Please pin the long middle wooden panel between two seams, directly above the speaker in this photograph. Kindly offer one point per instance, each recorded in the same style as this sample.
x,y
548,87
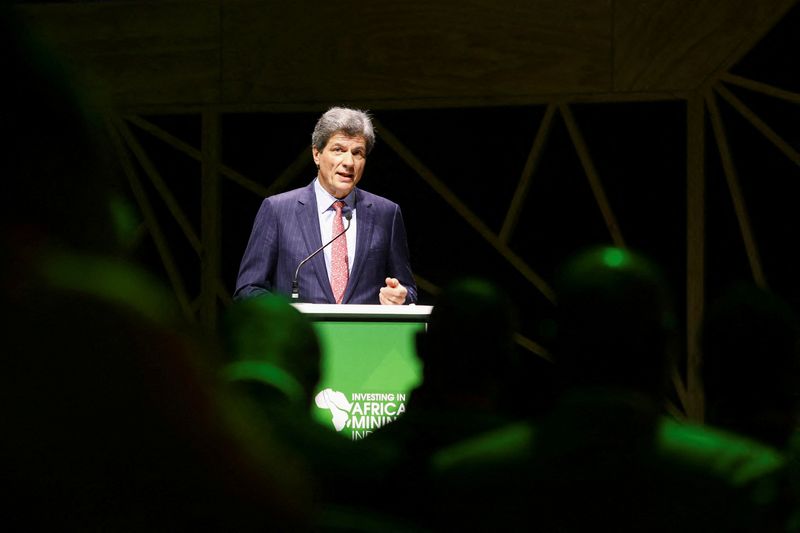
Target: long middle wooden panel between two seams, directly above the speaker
x,y
411,51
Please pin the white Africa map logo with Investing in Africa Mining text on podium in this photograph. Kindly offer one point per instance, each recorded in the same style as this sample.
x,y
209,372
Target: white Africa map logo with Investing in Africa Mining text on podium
x,y
361,413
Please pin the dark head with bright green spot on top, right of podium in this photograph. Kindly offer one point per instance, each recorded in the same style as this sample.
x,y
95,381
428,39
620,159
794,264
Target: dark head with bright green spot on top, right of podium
x,y
614,321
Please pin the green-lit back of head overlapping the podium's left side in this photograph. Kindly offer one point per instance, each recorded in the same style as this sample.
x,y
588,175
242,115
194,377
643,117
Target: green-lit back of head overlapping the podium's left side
x,y
272,343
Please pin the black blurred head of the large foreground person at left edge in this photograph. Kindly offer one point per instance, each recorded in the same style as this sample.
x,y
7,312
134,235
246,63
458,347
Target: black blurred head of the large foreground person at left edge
x,y
59,174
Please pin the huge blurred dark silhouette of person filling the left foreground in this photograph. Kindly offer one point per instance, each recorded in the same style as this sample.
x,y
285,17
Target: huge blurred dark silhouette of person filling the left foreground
x,y
111,420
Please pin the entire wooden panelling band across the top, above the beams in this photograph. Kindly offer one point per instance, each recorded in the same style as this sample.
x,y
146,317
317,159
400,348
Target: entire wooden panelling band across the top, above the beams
x,y
241,54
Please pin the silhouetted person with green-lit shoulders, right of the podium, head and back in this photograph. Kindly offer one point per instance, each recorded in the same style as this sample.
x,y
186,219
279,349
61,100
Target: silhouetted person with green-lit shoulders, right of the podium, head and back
x,y
605,457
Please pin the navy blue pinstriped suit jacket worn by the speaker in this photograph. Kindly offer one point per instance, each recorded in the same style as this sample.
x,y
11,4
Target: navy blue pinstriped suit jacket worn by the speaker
x,y
286,231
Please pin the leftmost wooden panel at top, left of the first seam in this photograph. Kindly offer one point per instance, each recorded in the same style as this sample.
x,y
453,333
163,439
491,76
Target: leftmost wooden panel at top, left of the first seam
x,y
139,53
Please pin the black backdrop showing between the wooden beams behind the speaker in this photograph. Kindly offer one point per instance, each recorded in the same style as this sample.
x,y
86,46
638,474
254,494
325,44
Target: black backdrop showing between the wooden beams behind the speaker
x,y
638,149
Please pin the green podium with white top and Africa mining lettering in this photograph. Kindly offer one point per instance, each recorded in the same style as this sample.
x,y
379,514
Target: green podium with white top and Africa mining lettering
x,y
369,363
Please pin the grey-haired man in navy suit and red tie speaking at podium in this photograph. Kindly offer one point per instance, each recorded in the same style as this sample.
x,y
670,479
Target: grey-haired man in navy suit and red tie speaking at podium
x,y
331,242
